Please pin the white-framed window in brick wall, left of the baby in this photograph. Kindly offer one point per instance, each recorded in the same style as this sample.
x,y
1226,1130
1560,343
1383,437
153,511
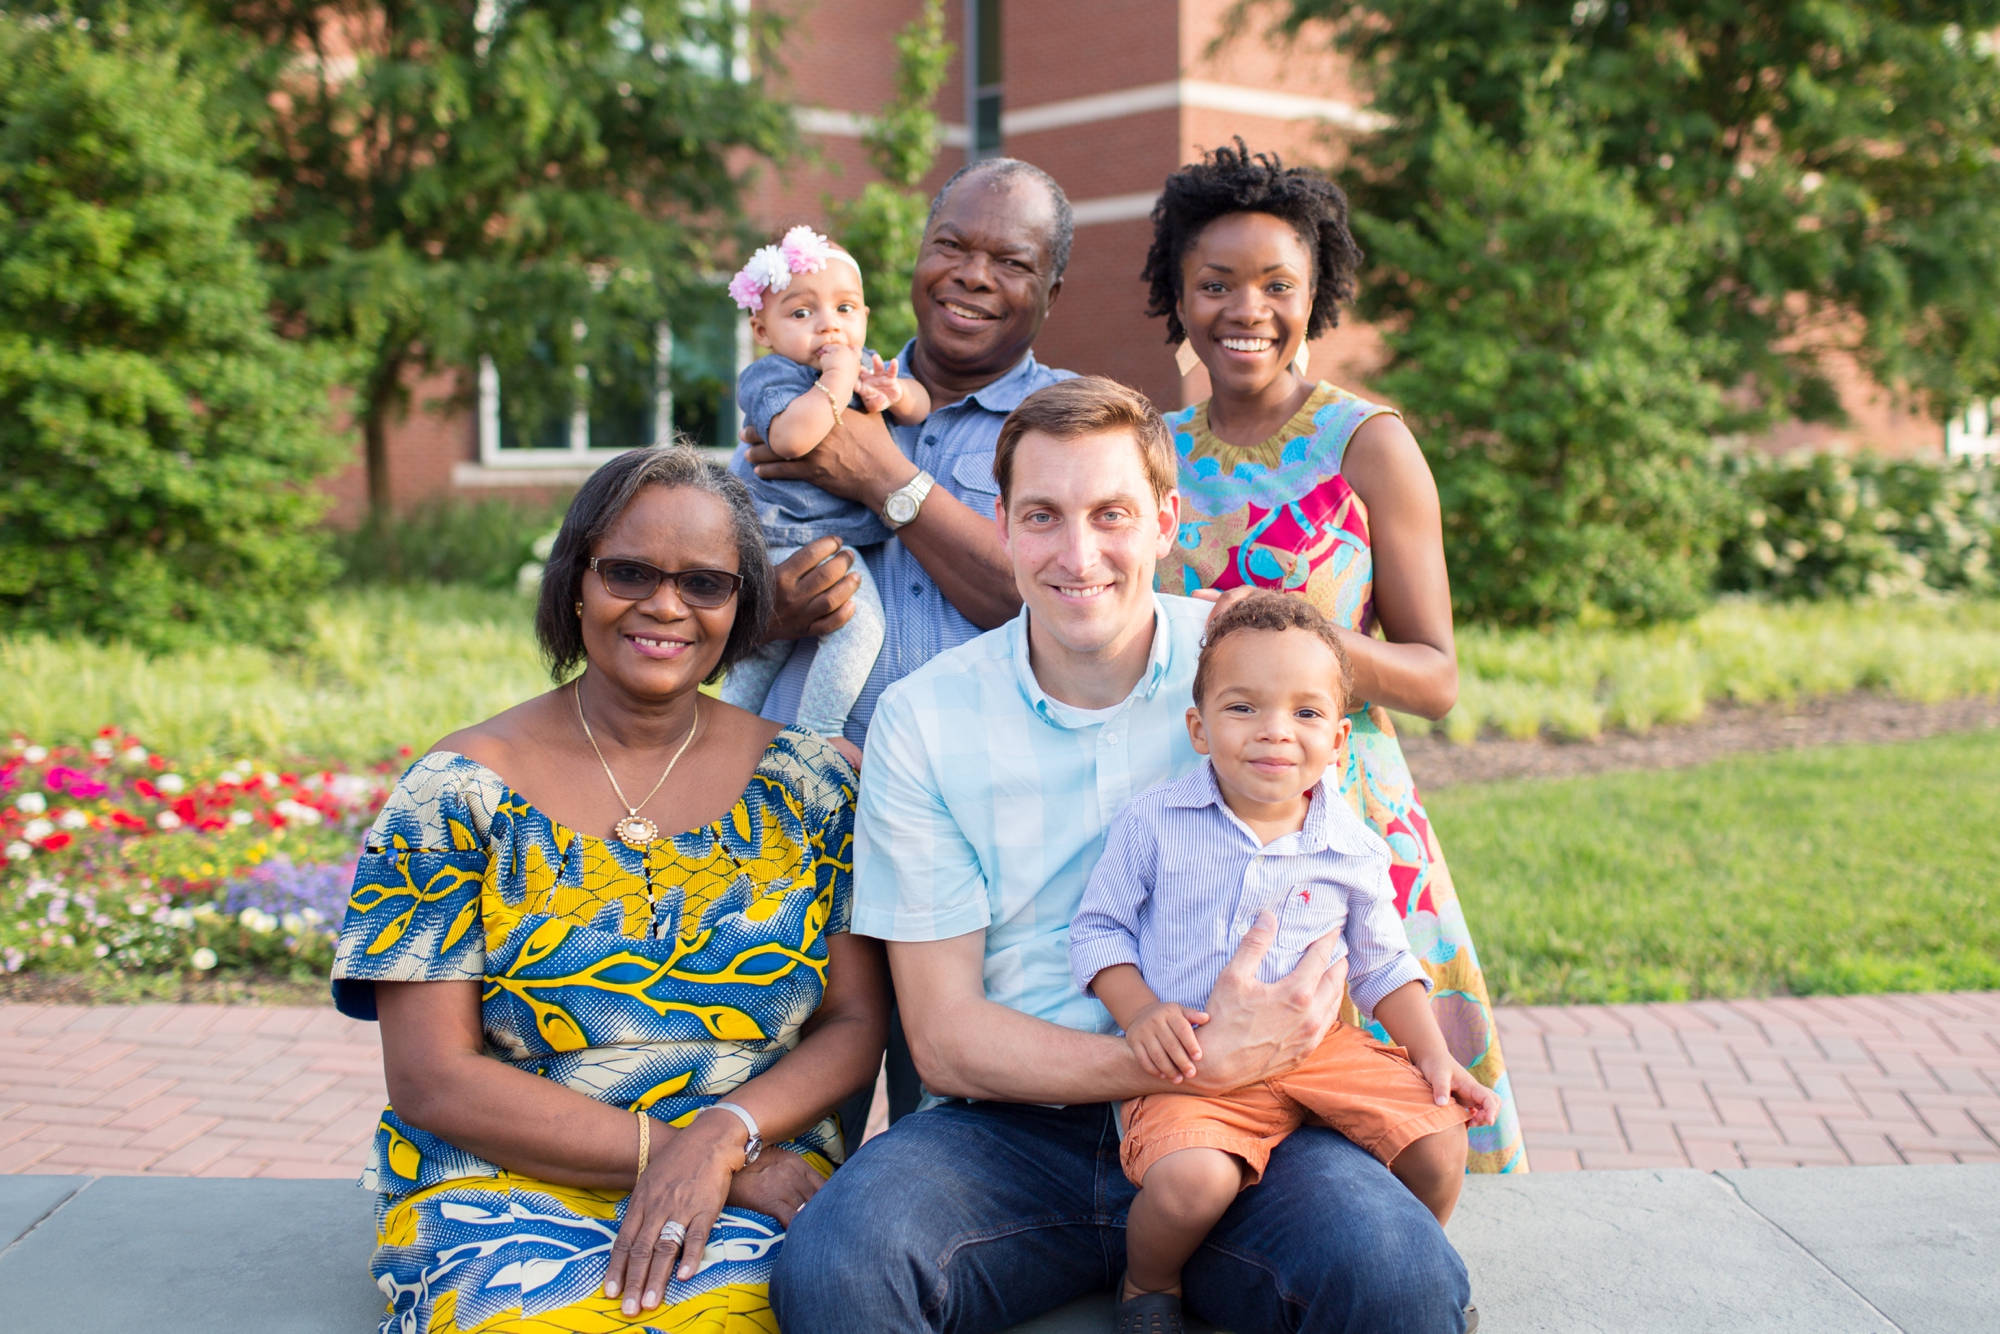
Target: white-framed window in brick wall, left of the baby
x,y
629,391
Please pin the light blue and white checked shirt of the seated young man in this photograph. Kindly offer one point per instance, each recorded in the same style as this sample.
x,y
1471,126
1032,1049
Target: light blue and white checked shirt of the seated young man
x,y
985,803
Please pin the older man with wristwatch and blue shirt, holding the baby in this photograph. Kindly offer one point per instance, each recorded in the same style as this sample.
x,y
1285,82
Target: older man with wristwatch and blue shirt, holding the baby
x,y
991,267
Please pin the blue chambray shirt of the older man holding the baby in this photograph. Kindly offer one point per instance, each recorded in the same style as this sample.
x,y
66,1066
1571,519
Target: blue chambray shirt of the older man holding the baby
x,y
957,447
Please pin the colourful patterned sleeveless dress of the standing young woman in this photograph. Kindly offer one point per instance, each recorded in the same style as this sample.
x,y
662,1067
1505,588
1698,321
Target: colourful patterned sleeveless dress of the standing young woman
x,y
1281,517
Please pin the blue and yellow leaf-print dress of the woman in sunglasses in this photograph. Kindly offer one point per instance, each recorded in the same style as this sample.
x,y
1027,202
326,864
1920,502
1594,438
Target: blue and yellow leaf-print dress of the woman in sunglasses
x,y
647,979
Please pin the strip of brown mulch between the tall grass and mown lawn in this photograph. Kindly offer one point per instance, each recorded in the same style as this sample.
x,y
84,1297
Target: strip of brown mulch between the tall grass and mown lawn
x,y
1729,729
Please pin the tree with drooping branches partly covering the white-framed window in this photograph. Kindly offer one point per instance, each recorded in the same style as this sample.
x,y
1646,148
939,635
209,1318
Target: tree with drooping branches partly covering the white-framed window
x,y
537,181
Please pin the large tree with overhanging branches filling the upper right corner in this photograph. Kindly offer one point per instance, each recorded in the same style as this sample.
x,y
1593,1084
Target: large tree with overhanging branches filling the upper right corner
x,y
1835,163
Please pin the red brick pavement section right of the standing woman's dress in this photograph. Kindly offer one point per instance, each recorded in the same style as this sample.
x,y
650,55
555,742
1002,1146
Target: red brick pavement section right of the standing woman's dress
x,y
1823,1081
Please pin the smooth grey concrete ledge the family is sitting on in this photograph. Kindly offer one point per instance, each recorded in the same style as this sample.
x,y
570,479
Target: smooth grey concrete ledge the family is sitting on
x,y
1809,1251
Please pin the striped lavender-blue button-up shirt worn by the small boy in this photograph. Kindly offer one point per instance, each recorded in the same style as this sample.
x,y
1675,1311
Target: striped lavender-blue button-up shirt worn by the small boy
x,y
1183,879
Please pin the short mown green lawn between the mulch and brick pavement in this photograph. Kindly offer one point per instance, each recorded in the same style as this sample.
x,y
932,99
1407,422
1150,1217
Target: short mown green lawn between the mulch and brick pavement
x,y
1857,869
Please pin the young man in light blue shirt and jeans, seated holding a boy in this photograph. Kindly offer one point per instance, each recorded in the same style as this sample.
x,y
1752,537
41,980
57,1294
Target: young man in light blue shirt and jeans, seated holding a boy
x,y
993,775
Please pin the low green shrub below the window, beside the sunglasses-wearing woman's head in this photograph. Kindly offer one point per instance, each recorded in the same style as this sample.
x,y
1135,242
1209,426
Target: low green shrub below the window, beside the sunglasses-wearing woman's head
x,y
481,543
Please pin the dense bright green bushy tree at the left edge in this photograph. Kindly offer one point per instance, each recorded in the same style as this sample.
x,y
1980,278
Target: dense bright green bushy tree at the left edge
x,y
159,437
